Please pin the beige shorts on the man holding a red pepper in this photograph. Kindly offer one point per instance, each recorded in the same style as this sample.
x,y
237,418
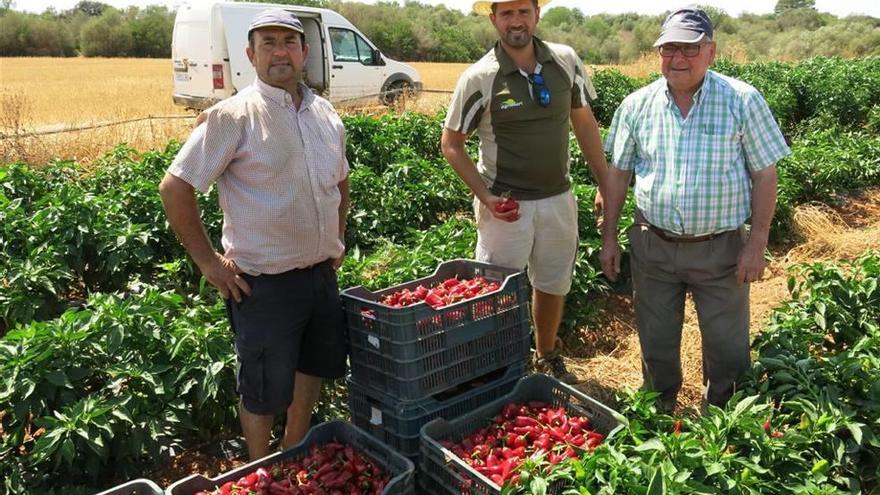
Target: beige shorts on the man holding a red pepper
x,y
545,239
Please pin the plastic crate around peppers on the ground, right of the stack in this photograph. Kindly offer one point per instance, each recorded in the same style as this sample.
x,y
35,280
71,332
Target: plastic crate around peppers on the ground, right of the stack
x,y
444,473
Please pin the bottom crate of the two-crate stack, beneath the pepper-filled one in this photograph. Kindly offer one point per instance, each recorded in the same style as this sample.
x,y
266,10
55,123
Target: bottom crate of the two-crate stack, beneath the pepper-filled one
x,y
398,423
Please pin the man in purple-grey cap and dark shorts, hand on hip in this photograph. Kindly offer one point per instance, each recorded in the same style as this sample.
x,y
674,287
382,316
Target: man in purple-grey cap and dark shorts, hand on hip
x,y
277,153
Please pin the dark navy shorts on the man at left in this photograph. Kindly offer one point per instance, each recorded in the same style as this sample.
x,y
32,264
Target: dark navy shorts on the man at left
x,y
292,321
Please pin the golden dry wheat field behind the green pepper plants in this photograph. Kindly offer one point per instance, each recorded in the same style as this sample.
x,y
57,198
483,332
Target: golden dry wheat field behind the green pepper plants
x,y
41,94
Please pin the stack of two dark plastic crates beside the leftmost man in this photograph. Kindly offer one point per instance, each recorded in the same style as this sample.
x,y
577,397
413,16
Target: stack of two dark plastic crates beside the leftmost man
x,y
413,364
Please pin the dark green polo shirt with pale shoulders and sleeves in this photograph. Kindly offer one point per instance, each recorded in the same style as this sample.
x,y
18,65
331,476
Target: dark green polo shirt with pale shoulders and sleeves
x,y
523,146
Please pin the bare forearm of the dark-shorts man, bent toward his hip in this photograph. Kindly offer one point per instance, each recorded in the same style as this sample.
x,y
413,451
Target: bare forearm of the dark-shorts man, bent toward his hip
x,y
182,211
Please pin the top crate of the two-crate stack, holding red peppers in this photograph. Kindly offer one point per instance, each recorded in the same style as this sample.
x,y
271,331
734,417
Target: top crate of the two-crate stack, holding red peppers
x,y
415,351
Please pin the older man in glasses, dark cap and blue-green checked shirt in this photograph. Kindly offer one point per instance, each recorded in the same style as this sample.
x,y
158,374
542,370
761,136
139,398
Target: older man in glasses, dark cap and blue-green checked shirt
x,y
703,148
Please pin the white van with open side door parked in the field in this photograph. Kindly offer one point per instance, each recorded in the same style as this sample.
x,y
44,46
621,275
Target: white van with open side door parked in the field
x,y
210,64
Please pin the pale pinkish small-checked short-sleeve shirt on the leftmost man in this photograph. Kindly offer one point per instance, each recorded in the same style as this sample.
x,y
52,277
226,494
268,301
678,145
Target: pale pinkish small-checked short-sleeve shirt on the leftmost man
x,y
277,170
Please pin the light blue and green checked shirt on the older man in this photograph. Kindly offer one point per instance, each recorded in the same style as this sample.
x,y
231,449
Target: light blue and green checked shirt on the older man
x,y
693,174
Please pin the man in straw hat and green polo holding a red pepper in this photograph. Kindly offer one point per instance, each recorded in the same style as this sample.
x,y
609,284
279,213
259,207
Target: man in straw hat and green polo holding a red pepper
x,y
520,99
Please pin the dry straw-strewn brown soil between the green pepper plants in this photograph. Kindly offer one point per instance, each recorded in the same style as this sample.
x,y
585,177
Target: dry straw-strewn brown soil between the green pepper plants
x,y
607,357
